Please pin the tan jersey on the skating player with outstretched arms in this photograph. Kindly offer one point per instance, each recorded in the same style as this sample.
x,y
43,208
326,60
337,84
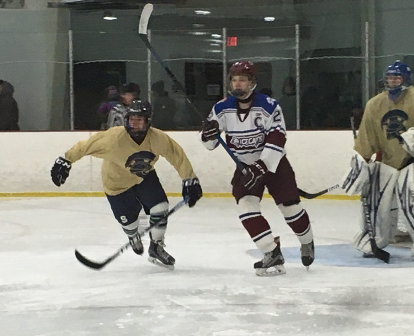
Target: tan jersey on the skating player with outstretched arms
x,y
117,149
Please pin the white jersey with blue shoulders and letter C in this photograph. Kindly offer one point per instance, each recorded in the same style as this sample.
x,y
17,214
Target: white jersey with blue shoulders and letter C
x,y
262,135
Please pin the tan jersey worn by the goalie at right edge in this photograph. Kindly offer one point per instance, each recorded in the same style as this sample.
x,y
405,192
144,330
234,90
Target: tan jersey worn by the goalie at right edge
x,y
381,125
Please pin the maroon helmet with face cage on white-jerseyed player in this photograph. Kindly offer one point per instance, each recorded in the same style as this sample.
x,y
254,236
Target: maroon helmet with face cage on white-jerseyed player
x,y
242,68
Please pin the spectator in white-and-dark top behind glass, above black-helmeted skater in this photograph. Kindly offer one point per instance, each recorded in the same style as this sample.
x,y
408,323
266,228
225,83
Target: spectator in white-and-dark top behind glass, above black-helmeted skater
x,y
127,94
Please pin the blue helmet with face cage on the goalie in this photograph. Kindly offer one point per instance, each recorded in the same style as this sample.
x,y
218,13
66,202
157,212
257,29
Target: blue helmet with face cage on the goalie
x,y
395,88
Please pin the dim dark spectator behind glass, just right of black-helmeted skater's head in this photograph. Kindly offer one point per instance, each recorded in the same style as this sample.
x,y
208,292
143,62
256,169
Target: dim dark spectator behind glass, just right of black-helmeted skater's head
x,y
164,107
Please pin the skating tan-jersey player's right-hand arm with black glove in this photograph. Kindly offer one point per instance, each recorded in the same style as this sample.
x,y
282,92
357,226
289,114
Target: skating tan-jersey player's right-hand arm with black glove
x,y
176,156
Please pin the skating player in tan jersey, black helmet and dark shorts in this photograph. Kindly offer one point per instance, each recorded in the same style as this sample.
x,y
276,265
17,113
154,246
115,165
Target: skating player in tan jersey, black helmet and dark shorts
x,y
130,182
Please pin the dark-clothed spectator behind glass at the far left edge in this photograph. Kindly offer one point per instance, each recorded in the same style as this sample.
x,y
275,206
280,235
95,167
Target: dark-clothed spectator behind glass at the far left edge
x,y
9,111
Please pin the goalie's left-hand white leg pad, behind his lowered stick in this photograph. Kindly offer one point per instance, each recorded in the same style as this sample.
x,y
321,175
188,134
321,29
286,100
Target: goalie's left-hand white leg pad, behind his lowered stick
x,y
382,207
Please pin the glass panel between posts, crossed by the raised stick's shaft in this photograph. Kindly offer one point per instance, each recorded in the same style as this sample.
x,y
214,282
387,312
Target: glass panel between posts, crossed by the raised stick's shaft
x,y
195,58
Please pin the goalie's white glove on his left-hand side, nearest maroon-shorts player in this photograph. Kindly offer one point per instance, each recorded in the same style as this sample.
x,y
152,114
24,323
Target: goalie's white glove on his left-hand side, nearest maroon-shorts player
x,y
358,175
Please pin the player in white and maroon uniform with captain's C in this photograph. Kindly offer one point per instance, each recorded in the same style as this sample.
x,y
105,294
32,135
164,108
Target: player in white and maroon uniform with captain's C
x,y
256,134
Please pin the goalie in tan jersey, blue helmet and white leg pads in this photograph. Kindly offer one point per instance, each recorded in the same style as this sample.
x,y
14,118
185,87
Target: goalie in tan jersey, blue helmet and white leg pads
x,y
386,187
